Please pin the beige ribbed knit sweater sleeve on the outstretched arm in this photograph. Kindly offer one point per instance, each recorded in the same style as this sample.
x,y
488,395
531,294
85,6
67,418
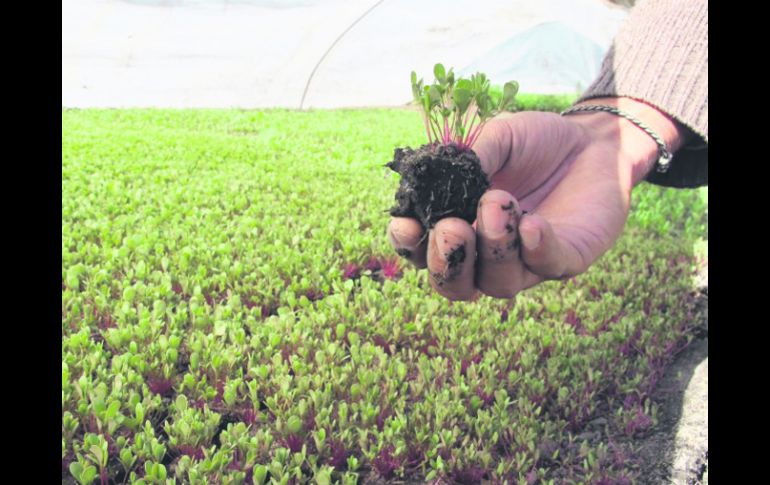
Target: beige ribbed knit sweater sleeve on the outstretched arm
x,y
660,56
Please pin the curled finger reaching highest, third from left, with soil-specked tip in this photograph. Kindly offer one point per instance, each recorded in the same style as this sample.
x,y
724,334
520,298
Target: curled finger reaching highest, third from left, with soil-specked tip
x,y
500,272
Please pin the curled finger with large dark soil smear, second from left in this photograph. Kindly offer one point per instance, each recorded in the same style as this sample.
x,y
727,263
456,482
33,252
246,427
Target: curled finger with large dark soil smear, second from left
x,y
450,257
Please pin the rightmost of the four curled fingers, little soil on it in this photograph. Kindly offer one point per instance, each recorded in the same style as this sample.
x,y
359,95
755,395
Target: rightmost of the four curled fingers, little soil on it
x,y
543,252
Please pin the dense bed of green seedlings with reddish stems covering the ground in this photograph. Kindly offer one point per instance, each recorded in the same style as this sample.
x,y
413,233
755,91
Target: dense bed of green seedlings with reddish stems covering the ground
x,y
231,312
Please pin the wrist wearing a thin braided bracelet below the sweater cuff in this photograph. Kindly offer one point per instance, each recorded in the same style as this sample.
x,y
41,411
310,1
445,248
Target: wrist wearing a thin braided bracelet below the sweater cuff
x,y
637,151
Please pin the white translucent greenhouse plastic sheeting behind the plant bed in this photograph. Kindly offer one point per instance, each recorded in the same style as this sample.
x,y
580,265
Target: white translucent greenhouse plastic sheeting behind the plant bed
x,y
320,53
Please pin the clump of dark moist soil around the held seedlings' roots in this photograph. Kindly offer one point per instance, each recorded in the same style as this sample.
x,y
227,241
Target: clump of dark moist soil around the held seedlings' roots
x,y
437,182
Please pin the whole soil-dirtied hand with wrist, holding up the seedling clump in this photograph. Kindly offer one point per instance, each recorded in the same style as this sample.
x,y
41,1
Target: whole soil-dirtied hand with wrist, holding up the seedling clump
x,y
572,175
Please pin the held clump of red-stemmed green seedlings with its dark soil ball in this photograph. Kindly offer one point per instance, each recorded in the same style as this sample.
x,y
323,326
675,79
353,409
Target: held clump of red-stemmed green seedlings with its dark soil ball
x,y
443,178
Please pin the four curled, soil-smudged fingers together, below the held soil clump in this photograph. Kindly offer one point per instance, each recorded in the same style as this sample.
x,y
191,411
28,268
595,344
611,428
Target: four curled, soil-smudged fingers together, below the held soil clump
x,y
515,252
